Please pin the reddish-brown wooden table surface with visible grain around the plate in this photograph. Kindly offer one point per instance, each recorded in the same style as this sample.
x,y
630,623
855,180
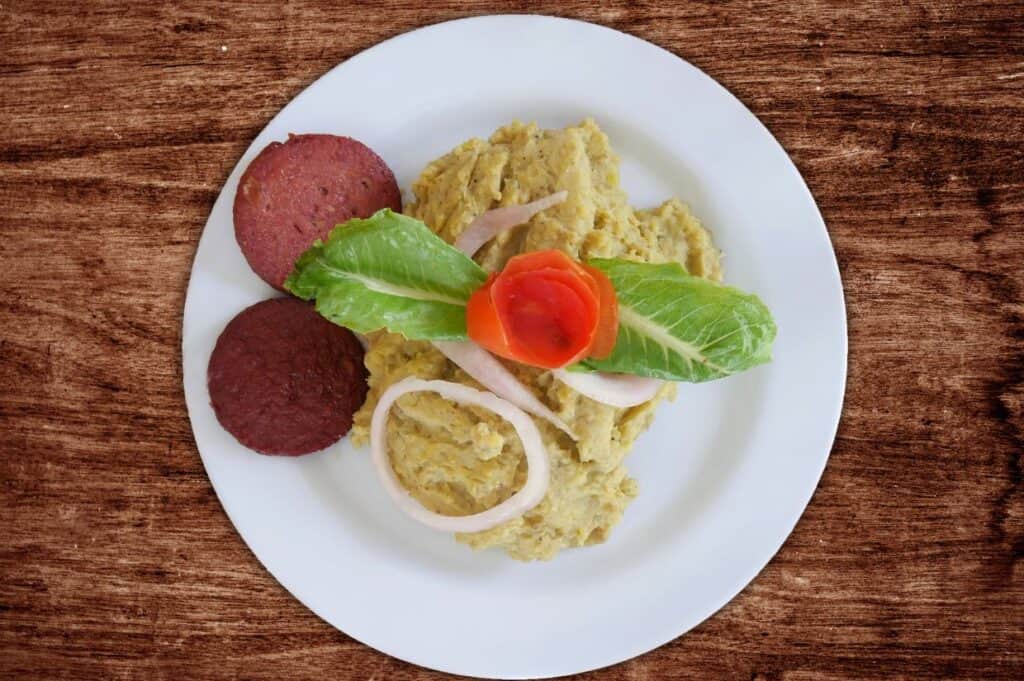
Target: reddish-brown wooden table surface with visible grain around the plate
x,y
119,123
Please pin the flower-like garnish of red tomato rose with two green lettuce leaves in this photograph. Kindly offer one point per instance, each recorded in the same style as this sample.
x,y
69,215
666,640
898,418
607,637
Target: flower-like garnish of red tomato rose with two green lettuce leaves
x,y
391,272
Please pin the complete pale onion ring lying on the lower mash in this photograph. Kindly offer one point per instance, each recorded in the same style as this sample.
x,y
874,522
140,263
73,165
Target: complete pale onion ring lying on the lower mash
x,y
538,475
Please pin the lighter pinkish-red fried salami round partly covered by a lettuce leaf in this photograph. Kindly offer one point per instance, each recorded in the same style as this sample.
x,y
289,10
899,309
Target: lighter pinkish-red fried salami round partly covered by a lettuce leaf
x,y
295,193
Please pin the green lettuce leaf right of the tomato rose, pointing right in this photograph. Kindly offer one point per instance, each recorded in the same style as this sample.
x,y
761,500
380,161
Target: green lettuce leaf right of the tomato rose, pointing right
x,y
682,328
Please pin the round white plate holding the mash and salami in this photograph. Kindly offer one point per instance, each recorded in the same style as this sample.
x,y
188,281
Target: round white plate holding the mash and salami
x,y
726,472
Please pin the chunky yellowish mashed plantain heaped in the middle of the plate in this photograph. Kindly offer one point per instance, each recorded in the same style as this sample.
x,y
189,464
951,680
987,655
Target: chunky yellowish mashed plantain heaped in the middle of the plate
x,y
459,460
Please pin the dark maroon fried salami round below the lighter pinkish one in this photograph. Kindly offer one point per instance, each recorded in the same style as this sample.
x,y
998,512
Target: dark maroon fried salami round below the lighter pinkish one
x,y
284,380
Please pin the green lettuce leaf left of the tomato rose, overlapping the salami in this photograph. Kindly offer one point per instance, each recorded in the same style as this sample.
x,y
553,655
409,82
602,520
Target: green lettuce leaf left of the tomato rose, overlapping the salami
x,y
389,272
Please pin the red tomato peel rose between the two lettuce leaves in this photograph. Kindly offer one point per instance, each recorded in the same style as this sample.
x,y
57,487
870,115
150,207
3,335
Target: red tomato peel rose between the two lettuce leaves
x,y
546,311
